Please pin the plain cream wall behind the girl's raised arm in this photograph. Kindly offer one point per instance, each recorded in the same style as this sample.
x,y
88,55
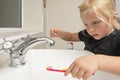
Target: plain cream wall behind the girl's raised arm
x,y
64,14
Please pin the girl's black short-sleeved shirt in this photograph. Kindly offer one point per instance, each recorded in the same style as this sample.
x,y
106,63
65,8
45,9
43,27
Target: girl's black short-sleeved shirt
x,y
109,45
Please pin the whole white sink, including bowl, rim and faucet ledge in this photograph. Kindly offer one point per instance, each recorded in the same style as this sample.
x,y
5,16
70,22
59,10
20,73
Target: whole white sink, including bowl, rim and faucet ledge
x,y
38,59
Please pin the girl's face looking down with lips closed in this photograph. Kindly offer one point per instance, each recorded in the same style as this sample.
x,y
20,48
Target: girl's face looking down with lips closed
x,y
94,26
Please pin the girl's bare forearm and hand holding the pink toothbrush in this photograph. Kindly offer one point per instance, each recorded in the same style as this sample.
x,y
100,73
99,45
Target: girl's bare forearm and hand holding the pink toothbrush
x,y
87,66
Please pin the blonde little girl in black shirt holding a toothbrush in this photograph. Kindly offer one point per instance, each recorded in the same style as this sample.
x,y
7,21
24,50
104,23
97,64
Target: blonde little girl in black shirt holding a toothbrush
x,y
101,37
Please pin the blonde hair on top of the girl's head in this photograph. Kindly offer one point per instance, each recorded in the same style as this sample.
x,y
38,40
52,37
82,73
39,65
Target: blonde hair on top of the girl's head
x,y
105,8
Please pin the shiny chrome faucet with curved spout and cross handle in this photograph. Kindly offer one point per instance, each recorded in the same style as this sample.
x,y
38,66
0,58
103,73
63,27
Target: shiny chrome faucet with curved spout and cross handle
x,y
17,53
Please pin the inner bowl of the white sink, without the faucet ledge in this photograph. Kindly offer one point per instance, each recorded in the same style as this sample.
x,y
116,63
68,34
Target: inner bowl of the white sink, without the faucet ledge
x,y
40,59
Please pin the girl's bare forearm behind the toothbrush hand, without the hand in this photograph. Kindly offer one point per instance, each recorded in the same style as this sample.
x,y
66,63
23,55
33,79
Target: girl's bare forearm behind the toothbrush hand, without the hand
x,y
109,63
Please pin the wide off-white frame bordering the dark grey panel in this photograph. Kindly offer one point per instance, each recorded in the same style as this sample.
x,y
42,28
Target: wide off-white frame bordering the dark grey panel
x,y
32,17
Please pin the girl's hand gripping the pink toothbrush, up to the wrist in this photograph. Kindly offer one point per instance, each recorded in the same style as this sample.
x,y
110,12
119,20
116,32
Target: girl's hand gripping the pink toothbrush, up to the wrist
x,y
83,67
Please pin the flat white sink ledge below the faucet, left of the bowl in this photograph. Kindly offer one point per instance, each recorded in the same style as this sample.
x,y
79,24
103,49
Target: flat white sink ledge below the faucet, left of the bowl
x,y
22,73
